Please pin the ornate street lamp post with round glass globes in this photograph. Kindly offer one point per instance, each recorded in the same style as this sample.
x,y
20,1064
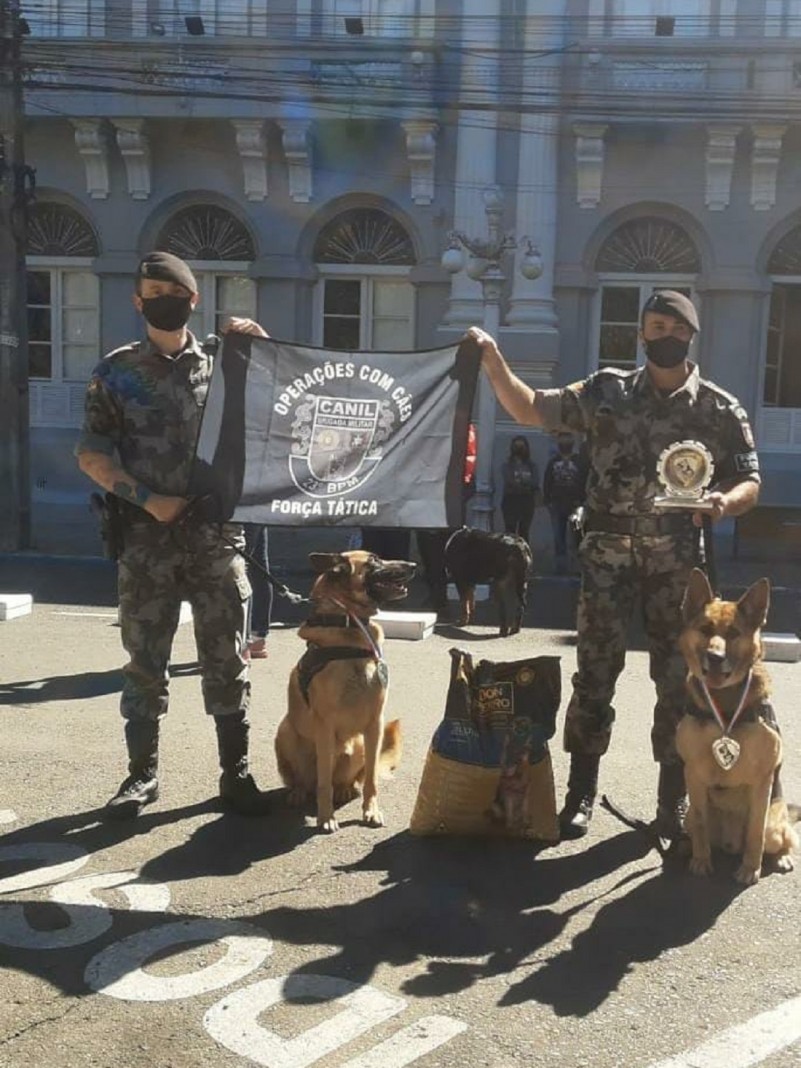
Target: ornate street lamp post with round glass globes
x,y
485,264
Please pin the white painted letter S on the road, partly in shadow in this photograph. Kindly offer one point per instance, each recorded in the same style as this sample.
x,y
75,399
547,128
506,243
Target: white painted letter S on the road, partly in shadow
x,y
88,918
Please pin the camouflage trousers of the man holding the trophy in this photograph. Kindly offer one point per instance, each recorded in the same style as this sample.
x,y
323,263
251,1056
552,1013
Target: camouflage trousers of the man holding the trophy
x,y
617,570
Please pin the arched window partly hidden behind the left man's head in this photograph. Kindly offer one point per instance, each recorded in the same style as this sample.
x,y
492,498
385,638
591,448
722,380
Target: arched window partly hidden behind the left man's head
x,y
221,250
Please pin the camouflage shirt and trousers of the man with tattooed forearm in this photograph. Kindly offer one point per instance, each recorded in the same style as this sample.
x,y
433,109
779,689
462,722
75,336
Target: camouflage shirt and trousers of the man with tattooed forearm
x,y
147,407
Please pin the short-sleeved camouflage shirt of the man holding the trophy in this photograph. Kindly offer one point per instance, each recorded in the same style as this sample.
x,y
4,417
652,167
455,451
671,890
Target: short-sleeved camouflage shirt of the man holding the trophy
x,y
629,423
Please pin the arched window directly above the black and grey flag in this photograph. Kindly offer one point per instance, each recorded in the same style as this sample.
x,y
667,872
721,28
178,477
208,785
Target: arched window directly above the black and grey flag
x,y
365,299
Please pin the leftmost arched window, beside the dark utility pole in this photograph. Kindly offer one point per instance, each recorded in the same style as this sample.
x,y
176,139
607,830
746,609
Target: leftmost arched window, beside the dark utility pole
x,y
64,312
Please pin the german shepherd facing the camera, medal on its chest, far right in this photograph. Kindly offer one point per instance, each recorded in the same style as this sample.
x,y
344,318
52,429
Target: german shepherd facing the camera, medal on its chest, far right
x,y
730,782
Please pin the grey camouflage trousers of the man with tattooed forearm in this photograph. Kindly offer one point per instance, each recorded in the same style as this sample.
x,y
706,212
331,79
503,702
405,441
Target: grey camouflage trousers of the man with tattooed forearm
x,y
162,566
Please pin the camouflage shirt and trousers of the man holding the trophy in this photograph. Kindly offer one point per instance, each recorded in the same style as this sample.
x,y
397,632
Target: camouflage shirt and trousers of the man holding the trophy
x,y
631,549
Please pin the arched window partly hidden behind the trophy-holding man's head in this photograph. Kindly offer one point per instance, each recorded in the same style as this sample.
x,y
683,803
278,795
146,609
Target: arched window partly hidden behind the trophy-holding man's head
x,y
640,257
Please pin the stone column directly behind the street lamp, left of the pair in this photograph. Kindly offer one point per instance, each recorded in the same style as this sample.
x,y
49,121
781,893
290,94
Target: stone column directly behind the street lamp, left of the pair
x,y
477,148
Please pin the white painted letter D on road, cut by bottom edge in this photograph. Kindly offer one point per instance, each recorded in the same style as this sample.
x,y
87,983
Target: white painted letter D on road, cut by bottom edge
x,y
234,1022
